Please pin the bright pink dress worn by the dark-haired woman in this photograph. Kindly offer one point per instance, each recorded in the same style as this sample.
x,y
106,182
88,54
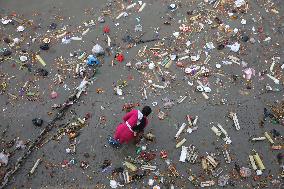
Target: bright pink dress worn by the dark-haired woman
x,y
123,133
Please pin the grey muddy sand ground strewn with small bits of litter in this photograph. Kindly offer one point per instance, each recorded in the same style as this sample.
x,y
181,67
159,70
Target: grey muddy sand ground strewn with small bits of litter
x,y
16,116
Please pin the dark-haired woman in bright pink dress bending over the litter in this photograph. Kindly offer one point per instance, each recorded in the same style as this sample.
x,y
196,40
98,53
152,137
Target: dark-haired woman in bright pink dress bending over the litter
x,y
133,125
